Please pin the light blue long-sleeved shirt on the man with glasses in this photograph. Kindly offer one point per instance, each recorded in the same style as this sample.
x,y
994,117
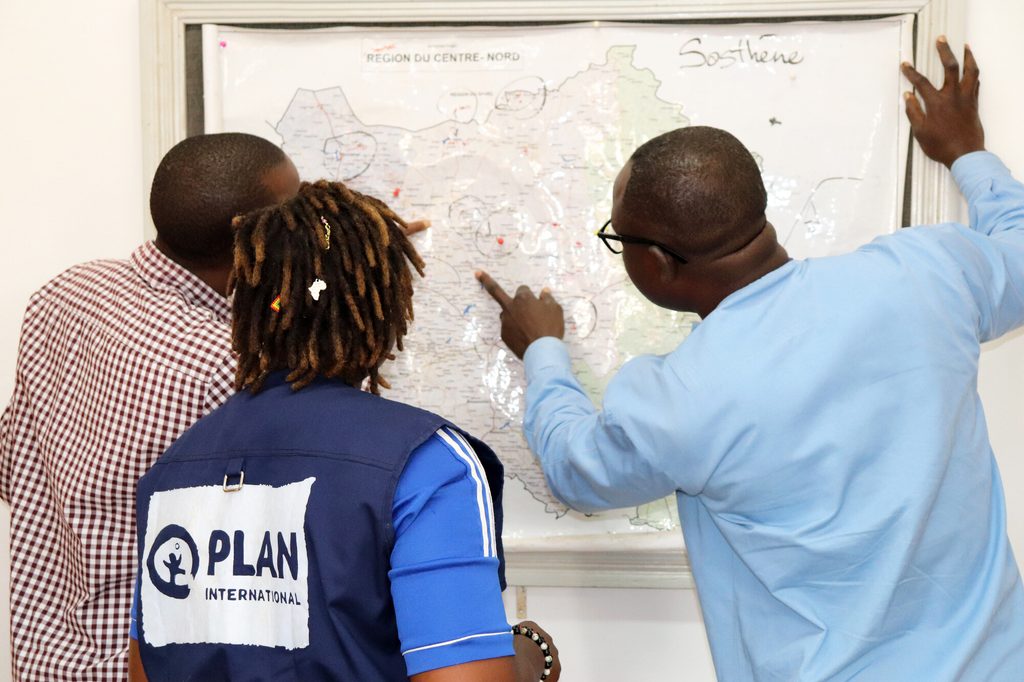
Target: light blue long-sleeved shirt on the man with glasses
x,y
824,434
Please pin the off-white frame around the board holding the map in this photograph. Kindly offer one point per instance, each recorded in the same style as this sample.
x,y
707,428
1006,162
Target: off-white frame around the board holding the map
x,y
647,562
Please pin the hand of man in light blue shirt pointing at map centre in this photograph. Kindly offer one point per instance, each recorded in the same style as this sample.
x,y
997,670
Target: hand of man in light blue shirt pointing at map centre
x,y
526,318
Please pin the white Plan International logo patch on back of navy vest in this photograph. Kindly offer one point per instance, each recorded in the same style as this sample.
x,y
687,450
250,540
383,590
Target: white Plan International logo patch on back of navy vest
x,y
228,569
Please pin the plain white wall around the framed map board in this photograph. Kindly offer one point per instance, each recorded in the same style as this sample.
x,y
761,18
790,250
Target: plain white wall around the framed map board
x,y
71,190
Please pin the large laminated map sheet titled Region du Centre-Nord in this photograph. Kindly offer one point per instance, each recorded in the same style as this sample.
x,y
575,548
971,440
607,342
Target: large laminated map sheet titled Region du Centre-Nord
x,y
513,155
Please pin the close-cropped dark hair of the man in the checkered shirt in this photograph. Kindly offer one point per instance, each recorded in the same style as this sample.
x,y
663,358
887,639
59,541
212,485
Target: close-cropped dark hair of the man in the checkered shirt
x,y
202,184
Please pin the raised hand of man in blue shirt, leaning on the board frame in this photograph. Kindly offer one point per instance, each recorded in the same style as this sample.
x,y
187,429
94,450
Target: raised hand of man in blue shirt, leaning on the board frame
x,y
949,126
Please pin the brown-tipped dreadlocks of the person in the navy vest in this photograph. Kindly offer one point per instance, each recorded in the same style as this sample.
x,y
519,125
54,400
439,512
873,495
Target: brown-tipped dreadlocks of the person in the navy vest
x,y
358,247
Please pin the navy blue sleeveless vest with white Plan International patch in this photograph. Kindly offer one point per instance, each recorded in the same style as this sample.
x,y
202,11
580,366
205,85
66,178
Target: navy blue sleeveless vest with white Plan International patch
x,y
266,535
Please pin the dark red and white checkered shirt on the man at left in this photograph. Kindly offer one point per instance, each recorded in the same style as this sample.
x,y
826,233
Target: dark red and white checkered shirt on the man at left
x,y
117,360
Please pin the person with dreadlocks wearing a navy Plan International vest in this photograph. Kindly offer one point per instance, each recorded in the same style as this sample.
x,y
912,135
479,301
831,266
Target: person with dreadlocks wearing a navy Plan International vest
x,y
309,530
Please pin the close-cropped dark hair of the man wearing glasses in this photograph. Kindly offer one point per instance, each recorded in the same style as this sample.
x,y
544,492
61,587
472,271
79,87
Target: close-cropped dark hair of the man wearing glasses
x,y
701,186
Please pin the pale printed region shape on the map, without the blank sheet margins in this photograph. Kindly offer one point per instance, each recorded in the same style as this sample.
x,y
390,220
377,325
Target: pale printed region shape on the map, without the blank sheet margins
x,y
514,186
